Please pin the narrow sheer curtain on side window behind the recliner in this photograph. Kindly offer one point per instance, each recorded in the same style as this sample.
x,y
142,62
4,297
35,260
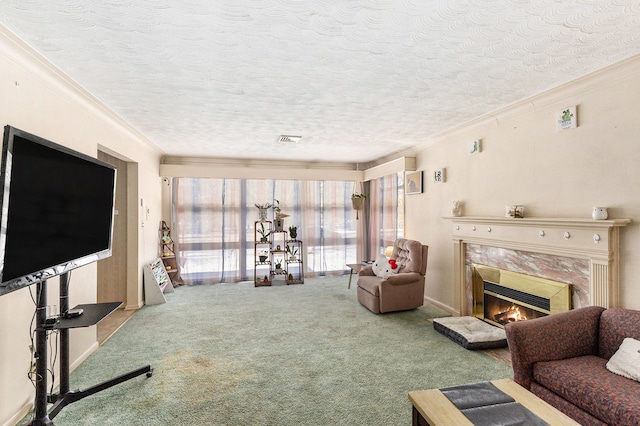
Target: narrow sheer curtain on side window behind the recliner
x,y
385,213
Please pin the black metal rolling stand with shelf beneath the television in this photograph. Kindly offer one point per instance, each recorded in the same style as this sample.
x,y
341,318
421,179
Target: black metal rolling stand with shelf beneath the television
x,y
92,314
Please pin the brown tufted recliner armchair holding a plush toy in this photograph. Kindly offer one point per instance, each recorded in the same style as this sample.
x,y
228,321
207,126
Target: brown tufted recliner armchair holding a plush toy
x,y
401,291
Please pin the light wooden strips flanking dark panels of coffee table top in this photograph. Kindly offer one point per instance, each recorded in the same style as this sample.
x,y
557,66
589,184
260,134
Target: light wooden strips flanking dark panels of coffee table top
x,y
431,407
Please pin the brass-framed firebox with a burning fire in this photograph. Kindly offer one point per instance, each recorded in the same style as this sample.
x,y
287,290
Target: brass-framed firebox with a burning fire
x,y
501,297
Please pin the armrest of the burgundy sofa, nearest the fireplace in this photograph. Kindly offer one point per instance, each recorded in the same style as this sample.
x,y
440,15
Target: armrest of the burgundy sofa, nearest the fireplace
x,y
554,337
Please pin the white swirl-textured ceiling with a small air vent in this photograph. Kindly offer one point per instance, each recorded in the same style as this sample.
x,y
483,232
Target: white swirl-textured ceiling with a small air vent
x,y
357,79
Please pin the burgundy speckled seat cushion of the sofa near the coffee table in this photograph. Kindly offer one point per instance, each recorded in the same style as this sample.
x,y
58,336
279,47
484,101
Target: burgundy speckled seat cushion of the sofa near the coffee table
x,y
586,382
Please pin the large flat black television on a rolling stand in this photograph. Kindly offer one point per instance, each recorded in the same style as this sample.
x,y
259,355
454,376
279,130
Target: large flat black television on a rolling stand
x,y
56,209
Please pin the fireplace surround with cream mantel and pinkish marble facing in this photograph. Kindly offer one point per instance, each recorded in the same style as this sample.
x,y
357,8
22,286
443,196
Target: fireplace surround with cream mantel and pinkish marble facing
x,y
581,252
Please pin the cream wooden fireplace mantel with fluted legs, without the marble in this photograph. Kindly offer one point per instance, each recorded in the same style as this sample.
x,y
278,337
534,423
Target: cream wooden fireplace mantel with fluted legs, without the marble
x,y
594,240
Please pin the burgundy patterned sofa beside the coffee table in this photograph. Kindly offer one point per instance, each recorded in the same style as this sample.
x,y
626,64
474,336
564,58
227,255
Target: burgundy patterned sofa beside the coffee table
x,y
562,358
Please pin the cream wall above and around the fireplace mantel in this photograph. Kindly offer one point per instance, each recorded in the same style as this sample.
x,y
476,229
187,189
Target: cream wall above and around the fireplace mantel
x,y
525,160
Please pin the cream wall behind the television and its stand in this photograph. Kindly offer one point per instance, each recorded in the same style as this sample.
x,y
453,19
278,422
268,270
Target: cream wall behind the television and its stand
x,y
39,99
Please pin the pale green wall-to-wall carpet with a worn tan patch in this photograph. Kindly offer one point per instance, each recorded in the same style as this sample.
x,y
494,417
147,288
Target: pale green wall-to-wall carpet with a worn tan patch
x,y
234,354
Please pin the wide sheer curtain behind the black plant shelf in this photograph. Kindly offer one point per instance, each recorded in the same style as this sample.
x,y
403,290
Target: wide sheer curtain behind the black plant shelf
x,y
214,225
